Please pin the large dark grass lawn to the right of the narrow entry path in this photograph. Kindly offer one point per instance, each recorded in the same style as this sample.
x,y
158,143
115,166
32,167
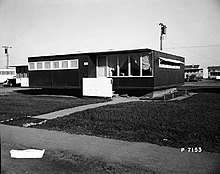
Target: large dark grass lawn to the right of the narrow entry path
x,y
193,122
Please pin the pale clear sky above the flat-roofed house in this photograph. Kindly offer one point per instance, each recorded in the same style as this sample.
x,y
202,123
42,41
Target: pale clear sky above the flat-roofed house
x,y
45,27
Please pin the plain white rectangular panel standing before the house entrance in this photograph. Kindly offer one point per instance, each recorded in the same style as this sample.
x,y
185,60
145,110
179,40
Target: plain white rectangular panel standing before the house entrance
x,y
98,87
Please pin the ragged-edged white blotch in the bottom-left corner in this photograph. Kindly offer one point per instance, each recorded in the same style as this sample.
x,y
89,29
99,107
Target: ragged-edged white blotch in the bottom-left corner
x,y
28,153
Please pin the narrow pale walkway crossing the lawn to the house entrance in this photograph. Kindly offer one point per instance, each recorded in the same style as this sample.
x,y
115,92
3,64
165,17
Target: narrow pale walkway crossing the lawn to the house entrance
x,y
69,111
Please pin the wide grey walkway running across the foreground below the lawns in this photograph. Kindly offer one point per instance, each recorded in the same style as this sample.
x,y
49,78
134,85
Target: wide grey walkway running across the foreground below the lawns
x,y
156,158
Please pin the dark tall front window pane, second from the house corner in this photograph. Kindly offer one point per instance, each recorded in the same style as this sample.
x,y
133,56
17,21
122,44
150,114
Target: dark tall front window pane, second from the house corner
x,y
135,64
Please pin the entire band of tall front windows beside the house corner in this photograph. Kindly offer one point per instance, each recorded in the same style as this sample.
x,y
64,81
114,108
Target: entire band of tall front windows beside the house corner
x,y
128,65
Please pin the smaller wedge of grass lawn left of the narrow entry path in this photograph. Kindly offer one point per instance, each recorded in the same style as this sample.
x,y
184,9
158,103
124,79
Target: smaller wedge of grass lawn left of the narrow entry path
x,y
17,105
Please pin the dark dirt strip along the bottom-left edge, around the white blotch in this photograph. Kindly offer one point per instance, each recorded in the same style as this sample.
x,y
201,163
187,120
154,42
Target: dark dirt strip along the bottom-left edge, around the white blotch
x,y
57,161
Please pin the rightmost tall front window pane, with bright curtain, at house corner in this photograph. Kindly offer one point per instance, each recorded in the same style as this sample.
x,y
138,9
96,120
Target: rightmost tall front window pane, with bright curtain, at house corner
x,y
146,65
